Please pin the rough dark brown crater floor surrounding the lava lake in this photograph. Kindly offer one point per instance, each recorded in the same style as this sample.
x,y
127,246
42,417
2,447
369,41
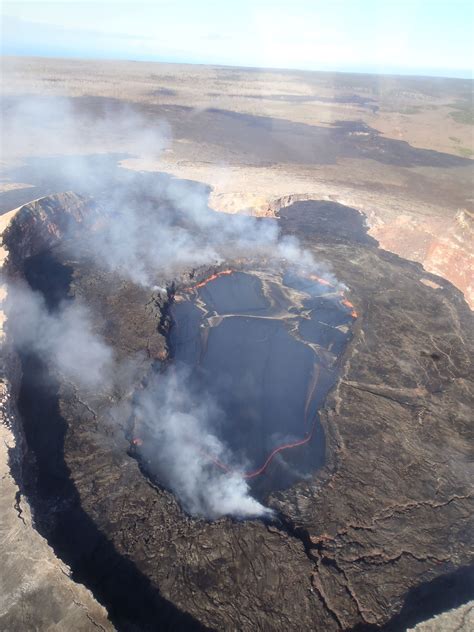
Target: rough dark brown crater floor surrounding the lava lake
x,y
378,539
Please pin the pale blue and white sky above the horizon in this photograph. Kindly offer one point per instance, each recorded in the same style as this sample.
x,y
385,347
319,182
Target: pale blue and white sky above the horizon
x,y
432,37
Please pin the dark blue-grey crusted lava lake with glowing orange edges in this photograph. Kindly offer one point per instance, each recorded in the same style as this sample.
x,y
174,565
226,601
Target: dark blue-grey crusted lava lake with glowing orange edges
x,y
266,346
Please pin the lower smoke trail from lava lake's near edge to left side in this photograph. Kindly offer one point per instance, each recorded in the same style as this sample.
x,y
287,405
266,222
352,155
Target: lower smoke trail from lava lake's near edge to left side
x,y
179,423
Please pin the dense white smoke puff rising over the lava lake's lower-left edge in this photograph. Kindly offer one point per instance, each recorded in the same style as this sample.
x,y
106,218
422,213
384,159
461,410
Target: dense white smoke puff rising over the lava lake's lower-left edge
x,y
180,429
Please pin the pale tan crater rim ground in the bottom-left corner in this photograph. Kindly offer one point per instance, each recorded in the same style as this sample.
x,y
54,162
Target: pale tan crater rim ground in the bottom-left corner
x,y
36,589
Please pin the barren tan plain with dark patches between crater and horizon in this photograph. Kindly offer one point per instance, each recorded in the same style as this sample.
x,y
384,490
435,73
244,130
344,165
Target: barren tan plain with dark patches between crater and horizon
x,y
396,148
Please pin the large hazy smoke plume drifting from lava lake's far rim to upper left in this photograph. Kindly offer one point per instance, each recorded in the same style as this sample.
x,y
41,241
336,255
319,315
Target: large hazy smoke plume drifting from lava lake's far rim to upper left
x,y
154,225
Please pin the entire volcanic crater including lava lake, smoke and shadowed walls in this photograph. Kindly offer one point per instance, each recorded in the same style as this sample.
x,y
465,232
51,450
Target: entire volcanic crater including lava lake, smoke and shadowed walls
x,y
275,436
